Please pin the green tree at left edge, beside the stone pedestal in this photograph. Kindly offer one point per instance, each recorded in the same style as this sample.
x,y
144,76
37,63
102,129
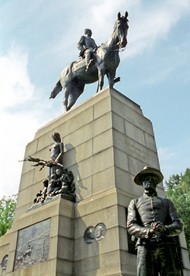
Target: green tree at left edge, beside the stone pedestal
x,y
7,209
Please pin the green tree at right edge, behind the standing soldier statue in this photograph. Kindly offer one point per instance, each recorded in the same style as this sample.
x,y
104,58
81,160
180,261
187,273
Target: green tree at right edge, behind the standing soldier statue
x,y
178,190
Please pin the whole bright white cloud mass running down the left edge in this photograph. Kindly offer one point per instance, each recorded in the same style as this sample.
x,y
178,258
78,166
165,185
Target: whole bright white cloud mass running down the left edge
x,y
17,124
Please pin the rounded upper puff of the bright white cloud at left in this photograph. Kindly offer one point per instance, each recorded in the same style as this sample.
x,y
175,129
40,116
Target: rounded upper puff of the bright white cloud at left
x,y
15,85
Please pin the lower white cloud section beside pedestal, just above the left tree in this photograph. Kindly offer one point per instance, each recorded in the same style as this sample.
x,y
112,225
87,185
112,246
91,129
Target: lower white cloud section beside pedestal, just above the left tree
x,y
18,131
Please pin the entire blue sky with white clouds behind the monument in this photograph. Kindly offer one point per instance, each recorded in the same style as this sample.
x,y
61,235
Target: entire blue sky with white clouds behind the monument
x,y
38,40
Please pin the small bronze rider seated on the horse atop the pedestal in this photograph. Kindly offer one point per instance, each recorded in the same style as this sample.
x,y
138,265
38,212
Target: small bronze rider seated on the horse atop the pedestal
x,y
87,47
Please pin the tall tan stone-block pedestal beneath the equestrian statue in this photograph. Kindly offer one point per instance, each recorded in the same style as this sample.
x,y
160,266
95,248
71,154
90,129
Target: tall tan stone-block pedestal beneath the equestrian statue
x,y
107,140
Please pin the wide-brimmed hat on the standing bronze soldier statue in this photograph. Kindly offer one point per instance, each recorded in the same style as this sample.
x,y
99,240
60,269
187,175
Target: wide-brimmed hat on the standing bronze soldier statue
x,y
148,170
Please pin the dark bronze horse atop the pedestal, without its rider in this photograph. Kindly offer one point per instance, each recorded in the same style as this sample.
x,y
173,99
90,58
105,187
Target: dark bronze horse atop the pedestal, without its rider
x,y
105,62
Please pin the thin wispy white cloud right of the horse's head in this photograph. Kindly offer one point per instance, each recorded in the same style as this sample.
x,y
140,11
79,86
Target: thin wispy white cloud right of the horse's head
x,y
150,25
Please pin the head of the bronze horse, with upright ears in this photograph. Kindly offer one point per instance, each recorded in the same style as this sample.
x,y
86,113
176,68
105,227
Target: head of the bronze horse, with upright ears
x,y
120,29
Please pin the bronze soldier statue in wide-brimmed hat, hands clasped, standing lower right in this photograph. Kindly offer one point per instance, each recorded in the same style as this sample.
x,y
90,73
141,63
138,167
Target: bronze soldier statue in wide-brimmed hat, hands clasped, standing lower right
x,y
153,220
